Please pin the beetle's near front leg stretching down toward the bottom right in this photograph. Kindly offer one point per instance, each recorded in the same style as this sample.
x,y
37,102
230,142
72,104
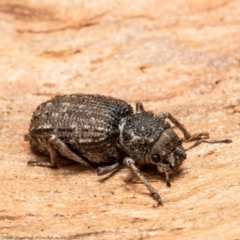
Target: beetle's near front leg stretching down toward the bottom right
x,y
130,163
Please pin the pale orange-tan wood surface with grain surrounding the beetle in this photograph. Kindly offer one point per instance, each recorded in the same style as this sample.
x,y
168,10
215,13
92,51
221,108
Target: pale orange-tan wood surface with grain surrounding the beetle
x,y
179,56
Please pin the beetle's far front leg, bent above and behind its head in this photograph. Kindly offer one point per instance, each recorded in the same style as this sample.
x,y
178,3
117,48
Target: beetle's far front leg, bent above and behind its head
x,y
187,136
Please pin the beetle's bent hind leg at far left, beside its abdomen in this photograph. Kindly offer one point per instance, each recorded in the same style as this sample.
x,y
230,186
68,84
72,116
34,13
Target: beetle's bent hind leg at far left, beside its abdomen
x,y
56,143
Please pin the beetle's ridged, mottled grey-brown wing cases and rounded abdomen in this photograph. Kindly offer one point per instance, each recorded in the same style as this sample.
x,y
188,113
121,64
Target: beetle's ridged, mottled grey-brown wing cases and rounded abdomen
x,y
87,124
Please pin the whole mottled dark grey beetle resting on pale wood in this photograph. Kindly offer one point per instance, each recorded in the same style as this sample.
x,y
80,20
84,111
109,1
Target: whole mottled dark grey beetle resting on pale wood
x,y
104,132
